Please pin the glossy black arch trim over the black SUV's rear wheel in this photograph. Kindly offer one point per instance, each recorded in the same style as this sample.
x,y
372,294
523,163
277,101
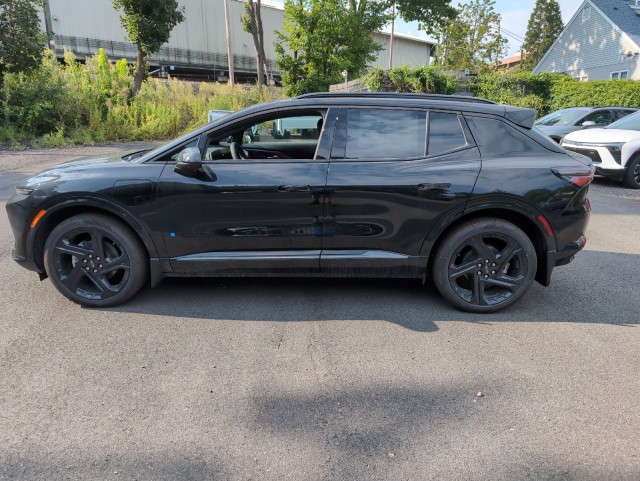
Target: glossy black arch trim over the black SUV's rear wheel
x,y
525,219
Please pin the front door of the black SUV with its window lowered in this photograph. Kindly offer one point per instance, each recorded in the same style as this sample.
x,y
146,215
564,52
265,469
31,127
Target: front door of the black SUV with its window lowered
x,y
256,207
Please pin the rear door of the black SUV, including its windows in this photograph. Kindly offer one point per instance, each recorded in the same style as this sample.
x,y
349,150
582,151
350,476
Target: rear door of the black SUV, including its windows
x,y
393,173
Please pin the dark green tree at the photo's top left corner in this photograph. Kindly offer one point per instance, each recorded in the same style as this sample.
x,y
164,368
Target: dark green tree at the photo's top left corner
x,y
21,39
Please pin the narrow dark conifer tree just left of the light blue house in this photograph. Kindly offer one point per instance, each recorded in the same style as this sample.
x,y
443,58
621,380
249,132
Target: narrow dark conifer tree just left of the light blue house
x,y
545,25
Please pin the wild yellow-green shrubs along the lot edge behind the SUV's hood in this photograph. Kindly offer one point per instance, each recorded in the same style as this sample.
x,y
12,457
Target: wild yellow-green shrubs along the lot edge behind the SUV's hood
x,y
91,102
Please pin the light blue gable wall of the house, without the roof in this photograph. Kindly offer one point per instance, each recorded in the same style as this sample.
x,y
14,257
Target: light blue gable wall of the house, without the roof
x,y
591,47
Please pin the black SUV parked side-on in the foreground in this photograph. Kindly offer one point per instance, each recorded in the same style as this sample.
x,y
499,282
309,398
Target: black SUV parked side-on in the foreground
x,y
457,189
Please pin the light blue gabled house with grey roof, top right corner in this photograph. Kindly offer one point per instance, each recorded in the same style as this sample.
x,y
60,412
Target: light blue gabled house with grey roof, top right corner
x,y
600,42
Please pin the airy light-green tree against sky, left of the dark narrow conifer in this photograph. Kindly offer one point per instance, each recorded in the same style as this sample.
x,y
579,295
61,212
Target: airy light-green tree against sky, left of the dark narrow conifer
x,y
472,40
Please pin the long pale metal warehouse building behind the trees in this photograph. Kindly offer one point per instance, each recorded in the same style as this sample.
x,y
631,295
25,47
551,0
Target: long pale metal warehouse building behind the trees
x,y
197,46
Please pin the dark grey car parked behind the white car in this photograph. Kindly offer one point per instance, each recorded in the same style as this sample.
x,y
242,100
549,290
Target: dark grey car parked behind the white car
x,y
562,122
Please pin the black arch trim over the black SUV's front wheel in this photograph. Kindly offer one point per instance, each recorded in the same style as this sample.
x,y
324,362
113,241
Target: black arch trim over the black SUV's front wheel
x,y
60,212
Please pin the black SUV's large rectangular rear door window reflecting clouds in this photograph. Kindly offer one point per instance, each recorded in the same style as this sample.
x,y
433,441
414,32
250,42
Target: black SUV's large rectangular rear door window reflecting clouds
x,y
386,134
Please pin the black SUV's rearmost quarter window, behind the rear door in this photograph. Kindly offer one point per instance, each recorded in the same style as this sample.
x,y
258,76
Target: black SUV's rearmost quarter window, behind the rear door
x,y
498,139
